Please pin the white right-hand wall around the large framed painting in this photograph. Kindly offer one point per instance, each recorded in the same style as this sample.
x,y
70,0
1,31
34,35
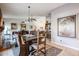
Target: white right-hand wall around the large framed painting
x,y
65,10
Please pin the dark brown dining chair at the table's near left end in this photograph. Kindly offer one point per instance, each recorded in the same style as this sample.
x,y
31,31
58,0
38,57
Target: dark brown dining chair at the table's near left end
x,y
24,46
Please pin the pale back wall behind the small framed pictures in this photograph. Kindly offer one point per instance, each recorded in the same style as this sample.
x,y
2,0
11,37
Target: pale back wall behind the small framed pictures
x,y
40,20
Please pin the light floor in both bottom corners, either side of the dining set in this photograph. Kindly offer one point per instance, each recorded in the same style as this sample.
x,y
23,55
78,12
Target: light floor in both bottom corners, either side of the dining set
x,y
65,51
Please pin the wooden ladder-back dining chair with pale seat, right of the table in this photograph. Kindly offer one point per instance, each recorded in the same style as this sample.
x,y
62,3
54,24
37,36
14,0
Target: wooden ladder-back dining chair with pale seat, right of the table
x,y
40,46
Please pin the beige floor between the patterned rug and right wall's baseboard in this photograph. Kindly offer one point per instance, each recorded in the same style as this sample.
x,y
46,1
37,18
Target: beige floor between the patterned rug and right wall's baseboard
x,y
65,50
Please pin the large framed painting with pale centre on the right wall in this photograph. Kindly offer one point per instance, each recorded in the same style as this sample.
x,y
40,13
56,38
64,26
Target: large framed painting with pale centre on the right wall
x,y
66,26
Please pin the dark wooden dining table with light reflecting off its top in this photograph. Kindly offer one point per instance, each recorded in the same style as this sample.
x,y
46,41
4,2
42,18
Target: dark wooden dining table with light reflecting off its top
x,y
29,38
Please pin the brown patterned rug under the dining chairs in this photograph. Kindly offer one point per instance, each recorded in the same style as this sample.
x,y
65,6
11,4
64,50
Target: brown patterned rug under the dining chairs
x,y
51,51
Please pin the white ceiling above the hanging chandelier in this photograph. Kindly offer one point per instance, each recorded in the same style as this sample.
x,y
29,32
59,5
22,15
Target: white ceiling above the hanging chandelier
x,y
21,9
